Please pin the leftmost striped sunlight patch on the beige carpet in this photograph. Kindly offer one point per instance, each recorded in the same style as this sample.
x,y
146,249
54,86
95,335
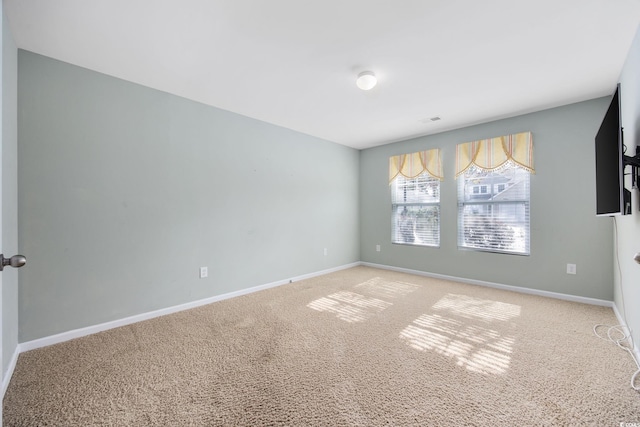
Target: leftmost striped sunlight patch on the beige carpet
x,y
349,306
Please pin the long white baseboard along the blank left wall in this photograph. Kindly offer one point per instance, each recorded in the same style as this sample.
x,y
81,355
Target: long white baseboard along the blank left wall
x,y
77,333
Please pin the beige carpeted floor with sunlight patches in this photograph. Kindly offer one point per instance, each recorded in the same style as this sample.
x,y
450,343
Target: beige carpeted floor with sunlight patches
x,y
358,347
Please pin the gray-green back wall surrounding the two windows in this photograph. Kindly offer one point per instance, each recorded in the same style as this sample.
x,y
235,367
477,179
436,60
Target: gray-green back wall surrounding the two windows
x,y
564,228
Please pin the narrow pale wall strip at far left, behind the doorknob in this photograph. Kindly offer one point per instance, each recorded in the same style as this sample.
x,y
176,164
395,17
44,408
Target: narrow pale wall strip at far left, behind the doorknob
x,y
9,193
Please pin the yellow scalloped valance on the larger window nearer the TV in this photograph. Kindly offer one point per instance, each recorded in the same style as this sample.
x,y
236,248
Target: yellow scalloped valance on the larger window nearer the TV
x,y
492,153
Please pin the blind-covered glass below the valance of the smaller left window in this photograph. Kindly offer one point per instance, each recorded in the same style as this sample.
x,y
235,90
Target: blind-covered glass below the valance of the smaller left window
x,y
415,210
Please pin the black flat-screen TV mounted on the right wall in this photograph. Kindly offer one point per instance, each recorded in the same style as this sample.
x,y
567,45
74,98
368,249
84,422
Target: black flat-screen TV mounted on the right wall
x,y
610,191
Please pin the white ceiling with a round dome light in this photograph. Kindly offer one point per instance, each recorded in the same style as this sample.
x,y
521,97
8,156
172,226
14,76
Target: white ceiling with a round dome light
x,y
293,63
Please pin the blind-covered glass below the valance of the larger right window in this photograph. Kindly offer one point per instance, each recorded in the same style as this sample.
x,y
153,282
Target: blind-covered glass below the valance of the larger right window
x,y
493,209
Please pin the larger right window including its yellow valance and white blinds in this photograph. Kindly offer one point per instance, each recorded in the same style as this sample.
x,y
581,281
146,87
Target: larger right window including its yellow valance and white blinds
x,y
493,193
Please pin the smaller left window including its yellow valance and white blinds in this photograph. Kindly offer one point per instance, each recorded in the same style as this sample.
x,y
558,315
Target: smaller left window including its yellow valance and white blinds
x,y
414,180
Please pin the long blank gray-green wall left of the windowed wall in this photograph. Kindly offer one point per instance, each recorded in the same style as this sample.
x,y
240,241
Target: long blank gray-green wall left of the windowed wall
x,y
126,191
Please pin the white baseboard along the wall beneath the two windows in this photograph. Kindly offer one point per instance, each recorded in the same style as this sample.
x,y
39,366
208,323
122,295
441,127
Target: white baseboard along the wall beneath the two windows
x,y
556,295
